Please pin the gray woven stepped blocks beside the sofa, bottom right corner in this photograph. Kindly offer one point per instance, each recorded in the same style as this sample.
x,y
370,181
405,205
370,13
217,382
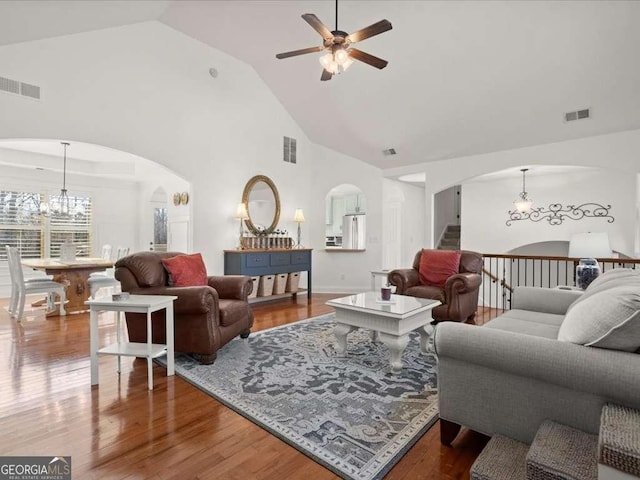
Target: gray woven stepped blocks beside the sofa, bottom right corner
x,y
559,452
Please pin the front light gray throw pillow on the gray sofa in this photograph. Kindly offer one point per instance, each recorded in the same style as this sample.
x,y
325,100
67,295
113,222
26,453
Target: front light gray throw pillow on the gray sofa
x,y
608,319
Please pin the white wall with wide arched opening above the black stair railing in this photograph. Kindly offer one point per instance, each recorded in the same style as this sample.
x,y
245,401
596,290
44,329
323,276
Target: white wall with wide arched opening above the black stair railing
x,y
616,151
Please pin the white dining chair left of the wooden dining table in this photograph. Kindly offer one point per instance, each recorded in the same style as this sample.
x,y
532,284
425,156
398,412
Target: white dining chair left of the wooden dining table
x,y
20,287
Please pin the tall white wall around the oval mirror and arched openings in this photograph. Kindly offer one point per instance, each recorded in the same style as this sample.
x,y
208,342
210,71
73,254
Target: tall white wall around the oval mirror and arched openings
x,y
145,89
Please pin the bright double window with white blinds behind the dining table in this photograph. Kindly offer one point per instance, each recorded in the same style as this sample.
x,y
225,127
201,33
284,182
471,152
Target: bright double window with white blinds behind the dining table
x,y
22,225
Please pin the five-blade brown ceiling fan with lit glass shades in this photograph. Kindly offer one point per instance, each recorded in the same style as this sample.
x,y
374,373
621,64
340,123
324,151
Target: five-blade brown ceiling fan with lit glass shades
x,y
341,54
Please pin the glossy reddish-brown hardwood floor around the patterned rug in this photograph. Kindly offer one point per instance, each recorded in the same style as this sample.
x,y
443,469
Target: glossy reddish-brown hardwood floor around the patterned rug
x,y
121,430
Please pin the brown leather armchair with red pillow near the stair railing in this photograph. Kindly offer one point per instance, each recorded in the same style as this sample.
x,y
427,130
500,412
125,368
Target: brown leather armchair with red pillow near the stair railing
x,y
459,296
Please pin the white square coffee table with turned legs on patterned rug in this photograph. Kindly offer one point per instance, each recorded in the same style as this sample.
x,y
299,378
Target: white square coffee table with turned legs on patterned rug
x,y
391,321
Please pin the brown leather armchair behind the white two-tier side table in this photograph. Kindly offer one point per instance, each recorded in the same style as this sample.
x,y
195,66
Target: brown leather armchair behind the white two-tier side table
x,y
205,317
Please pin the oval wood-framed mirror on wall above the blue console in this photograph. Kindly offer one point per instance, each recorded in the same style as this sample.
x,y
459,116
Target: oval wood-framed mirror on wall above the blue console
x,y
263,204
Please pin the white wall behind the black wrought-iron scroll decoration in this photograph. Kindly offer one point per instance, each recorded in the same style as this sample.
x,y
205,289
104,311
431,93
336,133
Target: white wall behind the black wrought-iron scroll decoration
x,y
485,205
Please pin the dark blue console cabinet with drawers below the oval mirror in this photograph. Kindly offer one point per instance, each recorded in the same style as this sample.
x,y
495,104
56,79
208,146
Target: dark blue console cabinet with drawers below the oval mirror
x,y
256,263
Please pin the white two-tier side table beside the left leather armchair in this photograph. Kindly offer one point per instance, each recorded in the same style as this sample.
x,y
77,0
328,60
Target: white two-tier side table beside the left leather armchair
x,y
134,304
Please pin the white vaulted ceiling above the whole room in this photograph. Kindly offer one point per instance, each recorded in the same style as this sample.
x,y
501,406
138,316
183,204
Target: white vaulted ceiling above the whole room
x,y
463,77
